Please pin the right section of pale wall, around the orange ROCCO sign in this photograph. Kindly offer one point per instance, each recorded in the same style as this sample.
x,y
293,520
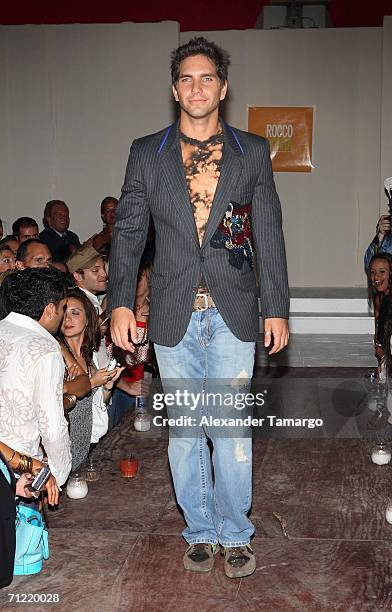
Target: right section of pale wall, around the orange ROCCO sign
x,y
330,214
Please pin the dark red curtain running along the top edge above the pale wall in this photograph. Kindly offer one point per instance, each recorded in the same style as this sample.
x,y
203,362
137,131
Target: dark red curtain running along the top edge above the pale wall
x,y
196,15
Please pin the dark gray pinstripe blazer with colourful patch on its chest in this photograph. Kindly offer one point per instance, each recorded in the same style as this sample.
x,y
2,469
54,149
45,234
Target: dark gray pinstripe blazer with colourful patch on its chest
x,y
155,182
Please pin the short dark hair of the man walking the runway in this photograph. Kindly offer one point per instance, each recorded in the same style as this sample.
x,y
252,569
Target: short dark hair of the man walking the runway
x,y
200,46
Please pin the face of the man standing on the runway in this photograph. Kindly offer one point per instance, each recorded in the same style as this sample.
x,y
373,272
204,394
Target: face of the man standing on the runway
x,y
198,89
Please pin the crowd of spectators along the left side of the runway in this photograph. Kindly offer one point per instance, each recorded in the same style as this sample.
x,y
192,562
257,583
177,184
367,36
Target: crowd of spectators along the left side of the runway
x,y
62,386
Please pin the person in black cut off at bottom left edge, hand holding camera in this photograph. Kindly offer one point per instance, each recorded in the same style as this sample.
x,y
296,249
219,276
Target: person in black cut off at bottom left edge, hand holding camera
x,y
9,487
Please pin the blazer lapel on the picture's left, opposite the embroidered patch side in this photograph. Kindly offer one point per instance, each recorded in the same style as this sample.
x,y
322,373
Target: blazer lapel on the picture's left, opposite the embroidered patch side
x,y
174,177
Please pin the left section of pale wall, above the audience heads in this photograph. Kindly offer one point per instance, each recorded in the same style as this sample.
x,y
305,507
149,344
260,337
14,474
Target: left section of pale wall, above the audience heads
x,y
73,97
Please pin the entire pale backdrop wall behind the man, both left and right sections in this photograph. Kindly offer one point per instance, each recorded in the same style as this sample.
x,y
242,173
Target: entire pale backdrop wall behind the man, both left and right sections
x,y
74,96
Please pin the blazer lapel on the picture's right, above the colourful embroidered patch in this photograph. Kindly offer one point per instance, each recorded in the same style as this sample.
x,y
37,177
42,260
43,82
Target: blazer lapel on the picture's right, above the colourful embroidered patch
x,y
228,179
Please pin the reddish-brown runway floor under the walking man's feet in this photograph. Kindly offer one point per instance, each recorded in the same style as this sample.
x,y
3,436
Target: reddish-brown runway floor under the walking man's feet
x,y
120,548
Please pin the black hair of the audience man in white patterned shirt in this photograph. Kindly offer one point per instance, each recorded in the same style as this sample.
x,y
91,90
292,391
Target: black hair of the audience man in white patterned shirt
x,y
28,292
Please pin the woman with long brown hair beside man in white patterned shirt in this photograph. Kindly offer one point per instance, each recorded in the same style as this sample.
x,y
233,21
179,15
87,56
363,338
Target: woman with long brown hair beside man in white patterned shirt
x,y
80,338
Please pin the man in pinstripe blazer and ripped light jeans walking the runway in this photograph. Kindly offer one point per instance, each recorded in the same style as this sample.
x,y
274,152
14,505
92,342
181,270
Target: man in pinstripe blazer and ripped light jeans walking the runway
x,y
219,245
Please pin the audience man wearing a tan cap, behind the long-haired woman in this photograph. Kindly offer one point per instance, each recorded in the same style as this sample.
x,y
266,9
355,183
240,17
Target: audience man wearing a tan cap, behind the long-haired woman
x,y
87,266
